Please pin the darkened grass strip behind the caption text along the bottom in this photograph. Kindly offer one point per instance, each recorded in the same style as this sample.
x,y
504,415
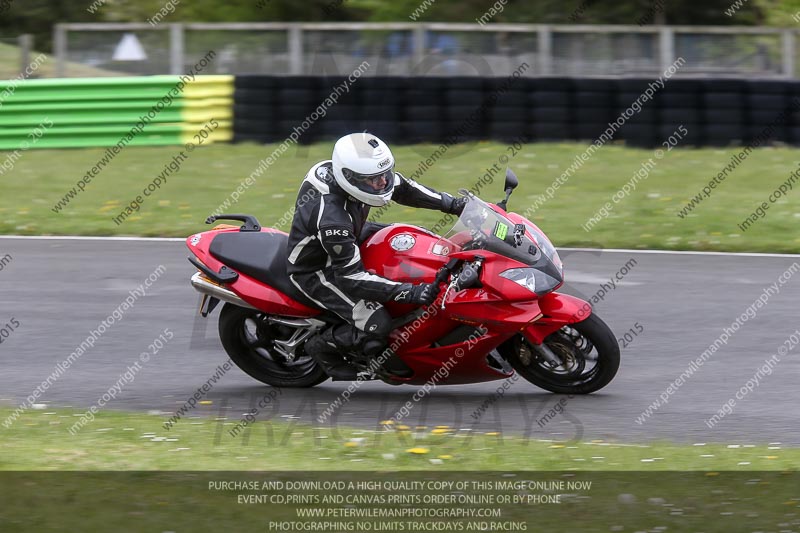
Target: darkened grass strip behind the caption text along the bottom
x,y
186,501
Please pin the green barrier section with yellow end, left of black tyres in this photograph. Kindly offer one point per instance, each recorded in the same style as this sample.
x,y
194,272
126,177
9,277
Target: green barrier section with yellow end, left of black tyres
x,y
86,112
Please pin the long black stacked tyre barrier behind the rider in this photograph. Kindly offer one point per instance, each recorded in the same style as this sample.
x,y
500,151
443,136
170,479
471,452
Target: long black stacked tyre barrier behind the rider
x,y
715,112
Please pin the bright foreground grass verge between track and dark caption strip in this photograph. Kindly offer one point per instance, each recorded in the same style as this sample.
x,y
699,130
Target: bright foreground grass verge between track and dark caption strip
x,y
40,440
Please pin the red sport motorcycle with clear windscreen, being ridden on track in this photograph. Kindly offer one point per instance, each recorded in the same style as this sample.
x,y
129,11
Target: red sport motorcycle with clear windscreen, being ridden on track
x,y
499,312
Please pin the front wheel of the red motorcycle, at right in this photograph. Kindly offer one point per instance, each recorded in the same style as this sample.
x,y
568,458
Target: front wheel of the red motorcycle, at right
x,y
587,358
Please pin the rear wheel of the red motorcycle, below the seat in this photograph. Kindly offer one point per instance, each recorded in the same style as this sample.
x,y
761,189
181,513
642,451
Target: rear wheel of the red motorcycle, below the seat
x,y
249,339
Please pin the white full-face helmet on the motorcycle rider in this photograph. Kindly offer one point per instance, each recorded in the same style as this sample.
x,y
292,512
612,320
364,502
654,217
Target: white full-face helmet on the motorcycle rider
x,y
364,168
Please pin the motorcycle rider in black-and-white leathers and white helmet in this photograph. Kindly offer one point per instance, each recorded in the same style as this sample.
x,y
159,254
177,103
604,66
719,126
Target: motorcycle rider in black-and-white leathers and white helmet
x,y
324,261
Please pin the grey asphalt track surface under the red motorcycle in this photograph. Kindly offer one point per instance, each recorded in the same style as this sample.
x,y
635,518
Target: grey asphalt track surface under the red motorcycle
x,y
60,289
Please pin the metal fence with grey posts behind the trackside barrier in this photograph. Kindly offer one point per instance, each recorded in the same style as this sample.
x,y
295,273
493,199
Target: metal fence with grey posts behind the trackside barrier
x,y
436,49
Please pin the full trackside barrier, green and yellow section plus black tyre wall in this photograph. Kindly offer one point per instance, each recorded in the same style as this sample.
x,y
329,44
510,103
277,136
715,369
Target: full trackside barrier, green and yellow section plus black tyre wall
x,y
170,109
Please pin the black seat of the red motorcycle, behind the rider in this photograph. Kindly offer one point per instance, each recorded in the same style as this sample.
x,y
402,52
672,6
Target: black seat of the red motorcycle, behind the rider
x,y
262,256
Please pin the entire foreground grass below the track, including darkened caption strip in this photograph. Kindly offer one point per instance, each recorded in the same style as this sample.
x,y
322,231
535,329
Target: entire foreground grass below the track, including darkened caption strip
x,y
123,471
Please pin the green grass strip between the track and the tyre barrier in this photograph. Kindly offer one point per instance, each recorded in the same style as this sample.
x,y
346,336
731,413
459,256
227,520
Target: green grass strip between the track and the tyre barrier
x,y
645,219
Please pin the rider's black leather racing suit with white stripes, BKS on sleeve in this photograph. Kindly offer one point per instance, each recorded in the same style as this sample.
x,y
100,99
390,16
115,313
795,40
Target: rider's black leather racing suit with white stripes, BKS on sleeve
x,y
325,261
